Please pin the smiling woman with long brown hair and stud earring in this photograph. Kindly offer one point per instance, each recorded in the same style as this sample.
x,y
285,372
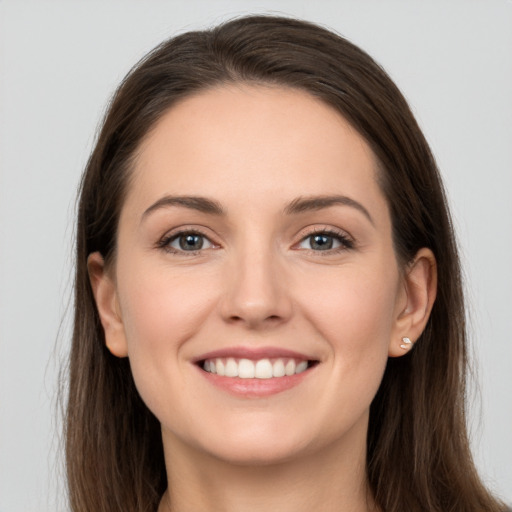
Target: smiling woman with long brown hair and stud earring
x,y
269,311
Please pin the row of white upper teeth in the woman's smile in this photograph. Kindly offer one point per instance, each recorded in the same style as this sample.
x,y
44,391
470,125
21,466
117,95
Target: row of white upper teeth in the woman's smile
x,y
261,369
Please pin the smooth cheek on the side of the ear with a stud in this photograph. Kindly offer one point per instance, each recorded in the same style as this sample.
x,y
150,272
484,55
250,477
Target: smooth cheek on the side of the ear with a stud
x,y
355,314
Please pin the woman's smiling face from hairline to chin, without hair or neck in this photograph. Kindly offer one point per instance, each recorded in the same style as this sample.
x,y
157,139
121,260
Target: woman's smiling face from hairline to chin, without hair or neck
x,y
255,240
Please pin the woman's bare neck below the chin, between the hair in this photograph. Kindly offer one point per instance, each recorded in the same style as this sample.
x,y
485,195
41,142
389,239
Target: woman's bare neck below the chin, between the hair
x,y
332,479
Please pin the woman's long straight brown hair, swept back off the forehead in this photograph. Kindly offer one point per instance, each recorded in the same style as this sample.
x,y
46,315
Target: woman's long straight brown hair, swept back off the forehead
x,y
418,456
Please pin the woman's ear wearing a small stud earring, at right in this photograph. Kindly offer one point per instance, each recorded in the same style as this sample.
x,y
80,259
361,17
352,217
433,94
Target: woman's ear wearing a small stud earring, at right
x,y
418,296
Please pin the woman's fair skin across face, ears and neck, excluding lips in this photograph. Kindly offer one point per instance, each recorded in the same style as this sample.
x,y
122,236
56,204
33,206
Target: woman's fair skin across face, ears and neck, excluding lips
x,y
259,282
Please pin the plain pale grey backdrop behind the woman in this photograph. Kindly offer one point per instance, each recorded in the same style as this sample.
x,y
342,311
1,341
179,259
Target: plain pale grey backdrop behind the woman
x,y
59,64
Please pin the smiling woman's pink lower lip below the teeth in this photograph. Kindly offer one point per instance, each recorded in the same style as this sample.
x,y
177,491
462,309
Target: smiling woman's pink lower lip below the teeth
x,y
255,387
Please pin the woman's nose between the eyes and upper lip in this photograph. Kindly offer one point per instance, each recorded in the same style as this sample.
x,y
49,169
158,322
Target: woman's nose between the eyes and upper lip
x,y
256,294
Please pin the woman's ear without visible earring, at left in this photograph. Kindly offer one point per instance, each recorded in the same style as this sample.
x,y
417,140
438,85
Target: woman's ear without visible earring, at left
x,y
105,294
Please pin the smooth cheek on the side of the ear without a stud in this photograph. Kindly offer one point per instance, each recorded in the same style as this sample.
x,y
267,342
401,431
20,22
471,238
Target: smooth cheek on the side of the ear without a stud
x,y
161,311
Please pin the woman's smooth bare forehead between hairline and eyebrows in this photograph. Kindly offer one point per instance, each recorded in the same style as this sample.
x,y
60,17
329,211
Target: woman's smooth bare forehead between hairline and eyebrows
x,y
241,142
